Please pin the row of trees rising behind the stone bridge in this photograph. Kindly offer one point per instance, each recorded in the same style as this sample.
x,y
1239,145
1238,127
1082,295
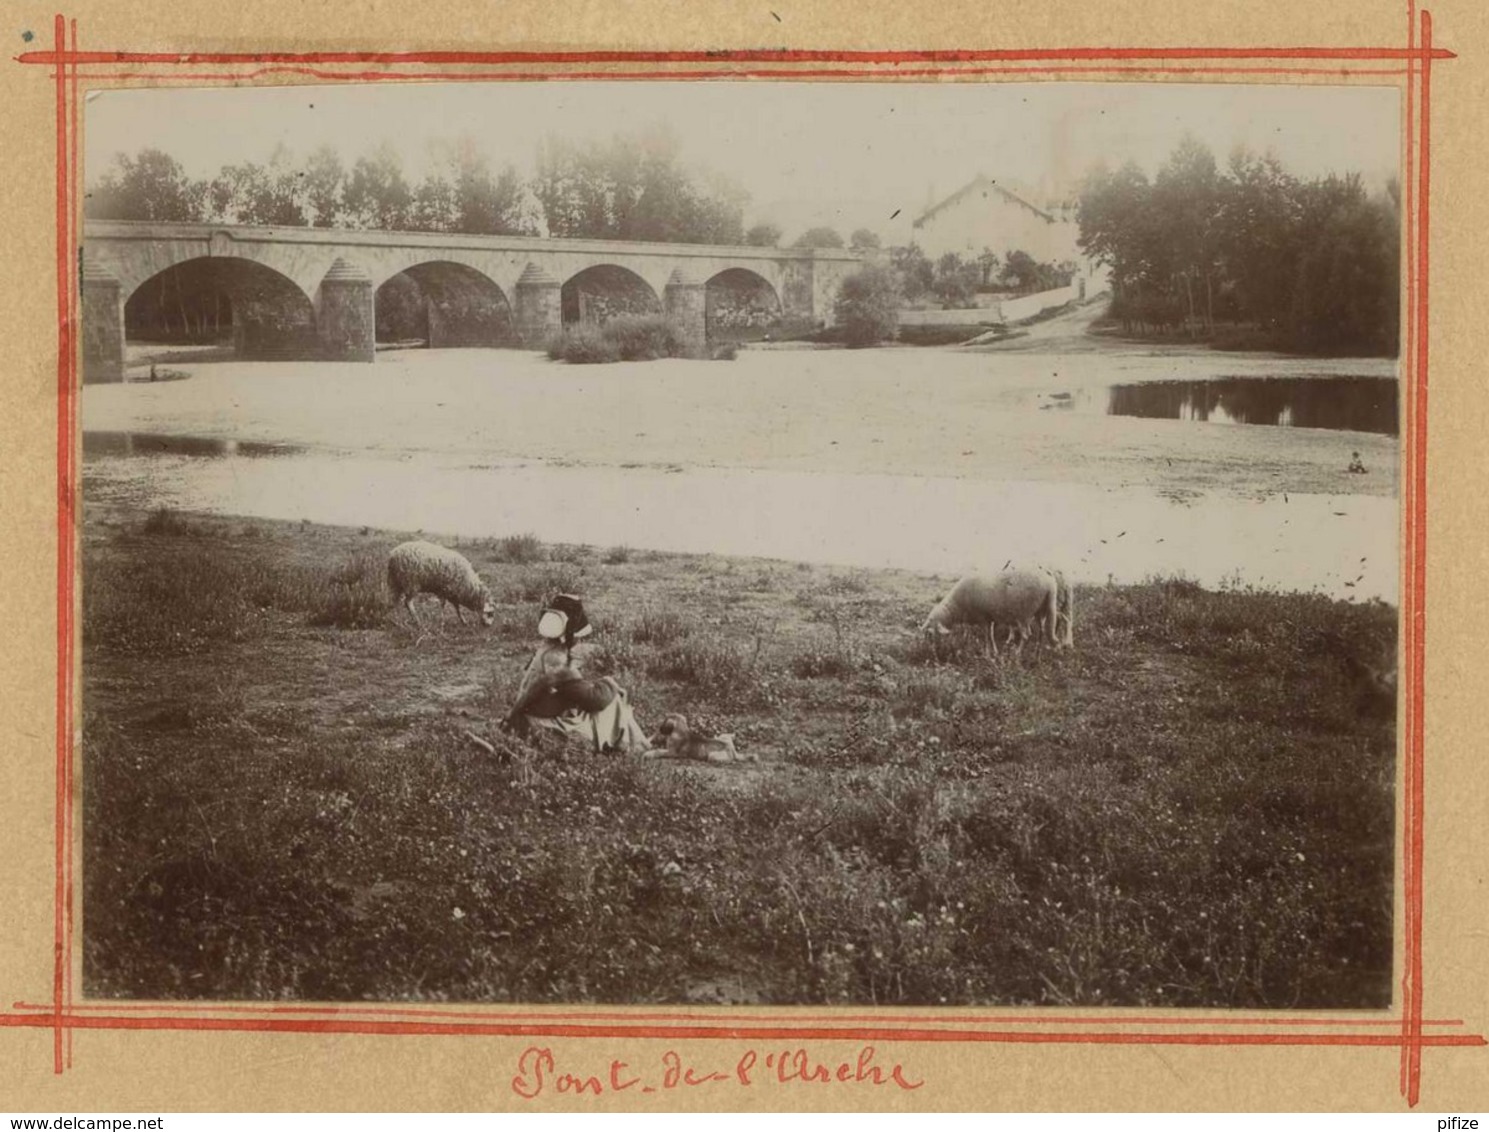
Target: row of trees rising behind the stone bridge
x,y
634,187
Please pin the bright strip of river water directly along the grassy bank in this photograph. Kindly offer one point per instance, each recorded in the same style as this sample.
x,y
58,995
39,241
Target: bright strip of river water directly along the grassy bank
x,y
1339,544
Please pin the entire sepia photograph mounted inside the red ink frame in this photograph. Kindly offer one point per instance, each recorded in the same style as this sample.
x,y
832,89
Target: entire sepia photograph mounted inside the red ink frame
x,y
739,544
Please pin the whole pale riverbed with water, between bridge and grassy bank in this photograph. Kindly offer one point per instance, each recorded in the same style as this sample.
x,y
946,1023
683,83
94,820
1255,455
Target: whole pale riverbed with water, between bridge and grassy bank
x,y
921,460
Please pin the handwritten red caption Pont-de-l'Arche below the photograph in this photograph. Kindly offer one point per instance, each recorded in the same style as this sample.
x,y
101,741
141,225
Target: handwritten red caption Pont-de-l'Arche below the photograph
x,y
538,1073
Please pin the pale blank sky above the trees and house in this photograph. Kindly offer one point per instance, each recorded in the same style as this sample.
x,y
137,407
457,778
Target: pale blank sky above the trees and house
x,y
845,154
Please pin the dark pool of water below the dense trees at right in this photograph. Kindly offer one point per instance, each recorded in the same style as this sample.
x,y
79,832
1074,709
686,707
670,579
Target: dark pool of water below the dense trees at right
x,y
1360,404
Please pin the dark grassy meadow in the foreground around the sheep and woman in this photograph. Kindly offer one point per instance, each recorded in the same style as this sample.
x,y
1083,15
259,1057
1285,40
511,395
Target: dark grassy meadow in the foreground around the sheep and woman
x,y
1193,808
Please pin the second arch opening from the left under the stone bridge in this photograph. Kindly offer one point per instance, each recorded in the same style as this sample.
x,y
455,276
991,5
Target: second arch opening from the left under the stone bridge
x,y
443,305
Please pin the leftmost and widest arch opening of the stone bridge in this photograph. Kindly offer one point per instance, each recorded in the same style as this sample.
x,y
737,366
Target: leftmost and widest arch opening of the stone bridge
x,y
223,302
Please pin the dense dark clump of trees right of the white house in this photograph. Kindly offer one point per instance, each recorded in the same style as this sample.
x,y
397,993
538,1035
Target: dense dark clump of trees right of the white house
x,y
1308,264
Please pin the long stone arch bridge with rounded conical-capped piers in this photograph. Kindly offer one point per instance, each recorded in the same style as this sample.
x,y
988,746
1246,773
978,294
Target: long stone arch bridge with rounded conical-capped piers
x,y
316,293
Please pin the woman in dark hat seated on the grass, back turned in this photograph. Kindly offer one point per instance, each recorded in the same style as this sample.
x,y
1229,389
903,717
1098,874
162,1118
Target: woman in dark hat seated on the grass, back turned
x,y
556,696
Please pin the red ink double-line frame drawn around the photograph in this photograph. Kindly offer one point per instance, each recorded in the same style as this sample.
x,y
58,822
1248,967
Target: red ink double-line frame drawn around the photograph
x,y
63,1017
